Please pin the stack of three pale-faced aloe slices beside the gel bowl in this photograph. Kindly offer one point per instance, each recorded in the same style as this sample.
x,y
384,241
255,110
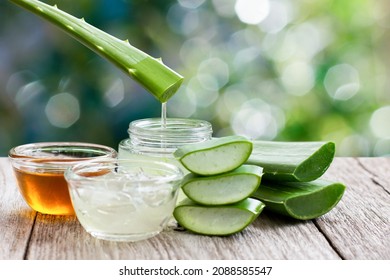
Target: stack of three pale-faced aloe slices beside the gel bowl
x,y
218,186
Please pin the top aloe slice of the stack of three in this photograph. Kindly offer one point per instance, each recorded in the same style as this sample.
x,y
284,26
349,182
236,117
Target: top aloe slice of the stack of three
x,y
215,156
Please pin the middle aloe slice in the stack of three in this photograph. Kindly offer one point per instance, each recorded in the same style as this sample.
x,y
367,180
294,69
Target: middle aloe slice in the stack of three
x,y
226,188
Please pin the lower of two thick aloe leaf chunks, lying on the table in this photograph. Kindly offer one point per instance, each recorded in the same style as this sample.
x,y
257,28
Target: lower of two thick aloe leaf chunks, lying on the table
x,y
300,200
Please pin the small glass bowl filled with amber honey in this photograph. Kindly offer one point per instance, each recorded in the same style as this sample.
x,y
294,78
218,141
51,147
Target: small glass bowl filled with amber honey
x,y
39,169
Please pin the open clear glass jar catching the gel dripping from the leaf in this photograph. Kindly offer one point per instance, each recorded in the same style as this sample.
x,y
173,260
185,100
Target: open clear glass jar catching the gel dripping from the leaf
x,y
149,138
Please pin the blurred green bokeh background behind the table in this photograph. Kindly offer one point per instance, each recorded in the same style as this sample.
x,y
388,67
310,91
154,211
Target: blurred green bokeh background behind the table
x,y
278,70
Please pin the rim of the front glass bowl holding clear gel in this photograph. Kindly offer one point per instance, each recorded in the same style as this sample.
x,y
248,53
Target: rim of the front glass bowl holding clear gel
x,y
84,171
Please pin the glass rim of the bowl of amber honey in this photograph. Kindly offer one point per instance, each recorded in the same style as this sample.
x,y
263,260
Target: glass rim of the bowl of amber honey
x,y
57,155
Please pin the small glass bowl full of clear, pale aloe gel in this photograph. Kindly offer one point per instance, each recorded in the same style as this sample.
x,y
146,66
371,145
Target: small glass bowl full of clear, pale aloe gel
x,y
124,199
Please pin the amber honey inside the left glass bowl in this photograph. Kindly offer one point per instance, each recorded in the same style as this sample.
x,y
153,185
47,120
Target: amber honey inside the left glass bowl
x,y
45,192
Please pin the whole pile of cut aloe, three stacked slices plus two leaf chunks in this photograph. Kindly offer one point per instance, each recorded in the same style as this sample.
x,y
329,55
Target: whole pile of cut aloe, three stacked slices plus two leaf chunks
x,y
232,179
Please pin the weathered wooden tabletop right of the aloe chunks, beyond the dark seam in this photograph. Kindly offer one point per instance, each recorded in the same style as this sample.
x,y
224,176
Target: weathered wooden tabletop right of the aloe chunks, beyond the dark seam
x,y
358,228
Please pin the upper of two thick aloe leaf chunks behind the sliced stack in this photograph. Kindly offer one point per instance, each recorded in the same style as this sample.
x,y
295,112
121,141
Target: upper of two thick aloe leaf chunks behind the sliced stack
x,y
292,161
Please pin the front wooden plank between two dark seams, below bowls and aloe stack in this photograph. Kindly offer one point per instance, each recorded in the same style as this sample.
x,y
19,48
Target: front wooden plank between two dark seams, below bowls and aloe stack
x,y
268,238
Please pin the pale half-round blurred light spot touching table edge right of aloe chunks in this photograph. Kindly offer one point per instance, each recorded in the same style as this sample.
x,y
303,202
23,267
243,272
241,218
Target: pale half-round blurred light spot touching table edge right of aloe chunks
x,y
354,146
